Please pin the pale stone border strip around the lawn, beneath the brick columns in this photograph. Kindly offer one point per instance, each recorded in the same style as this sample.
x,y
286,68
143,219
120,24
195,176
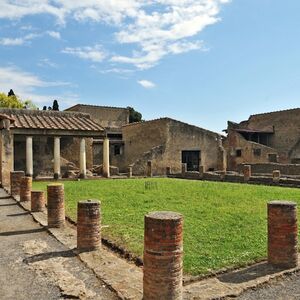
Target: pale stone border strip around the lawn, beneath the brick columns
x,y
126,279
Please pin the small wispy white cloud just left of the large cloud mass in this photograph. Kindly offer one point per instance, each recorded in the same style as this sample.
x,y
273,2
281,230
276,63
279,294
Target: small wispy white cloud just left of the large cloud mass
x,y
95,53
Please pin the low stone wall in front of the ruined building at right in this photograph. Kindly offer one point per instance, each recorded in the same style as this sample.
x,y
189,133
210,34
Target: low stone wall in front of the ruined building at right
x,y
268,168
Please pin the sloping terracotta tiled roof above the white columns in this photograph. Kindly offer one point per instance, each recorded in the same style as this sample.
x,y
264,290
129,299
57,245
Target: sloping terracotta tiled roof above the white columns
x,y
50,120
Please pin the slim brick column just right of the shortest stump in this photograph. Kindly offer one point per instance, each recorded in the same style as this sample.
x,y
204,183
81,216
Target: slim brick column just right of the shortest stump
x,y
55,205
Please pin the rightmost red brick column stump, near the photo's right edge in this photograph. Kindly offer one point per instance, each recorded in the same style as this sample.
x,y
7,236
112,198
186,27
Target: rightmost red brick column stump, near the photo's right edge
x,y
282,234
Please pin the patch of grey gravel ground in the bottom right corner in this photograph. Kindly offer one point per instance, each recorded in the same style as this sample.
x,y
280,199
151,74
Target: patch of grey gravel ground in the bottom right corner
x,y
286,288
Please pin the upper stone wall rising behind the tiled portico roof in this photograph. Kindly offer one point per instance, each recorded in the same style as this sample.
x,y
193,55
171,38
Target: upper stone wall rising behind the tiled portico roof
x,y
107,117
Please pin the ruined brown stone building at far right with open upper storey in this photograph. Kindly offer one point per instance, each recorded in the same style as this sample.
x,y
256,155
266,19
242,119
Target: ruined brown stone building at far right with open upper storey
x,y
264,138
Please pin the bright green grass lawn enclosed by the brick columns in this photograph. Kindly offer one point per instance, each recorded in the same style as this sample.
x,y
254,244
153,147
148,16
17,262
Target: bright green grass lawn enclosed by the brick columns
x,y
225,224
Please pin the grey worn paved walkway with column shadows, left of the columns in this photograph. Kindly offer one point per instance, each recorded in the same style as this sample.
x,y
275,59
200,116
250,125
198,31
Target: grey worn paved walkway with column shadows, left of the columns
x,y
34,265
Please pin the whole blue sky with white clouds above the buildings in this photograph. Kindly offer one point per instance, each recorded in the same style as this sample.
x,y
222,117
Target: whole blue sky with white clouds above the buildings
x,y
200,61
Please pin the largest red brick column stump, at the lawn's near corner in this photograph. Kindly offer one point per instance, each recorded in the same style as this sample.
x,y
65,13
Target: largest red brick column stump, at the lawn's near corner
x,y
163,251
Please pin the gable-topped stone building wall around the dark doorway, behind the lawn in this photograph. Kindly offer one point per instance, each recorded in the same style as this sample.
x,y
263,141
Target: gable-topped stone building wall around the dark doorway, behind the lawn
x,y
163,141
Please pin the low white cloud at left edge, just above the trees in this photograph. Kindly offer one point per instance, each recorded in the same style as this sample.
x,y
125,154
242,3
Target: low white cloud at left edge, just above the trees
x,y
26,85
